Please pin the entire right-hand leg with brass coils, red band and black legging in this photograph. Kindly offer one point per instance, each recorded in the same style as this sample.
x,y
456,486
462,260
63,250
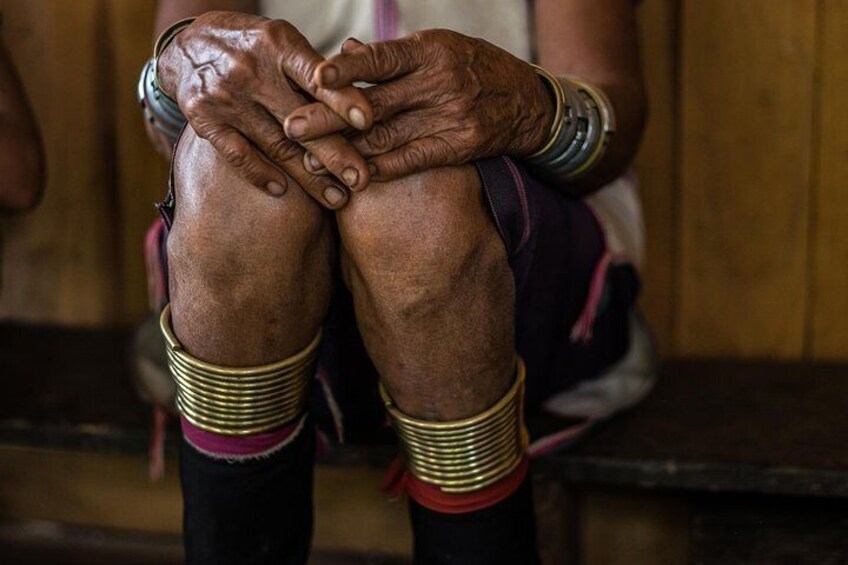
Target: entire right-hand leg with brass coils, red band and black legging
x,y
435,302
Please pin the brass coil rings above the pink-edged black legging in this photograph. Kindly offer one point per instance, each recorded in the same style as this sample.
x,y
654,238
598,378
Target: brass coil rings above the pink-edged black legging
x,y
237,401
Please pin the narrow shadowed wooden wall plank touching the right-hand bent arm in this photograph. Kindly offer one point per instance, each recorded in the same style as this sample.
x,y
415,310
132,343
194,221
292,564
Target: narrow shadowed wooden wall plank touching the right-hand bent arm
x,y
655,164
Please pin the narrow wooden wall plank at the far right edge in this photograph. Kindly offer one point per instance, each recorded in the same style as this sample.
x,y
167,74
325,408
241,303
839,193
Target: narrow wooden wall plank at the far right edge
x,y
830,287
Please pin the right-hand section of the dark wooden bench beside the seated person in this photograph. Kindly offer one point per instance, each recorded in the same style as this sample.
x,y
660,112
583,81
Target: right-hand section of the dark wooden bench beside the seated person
x,y
760,449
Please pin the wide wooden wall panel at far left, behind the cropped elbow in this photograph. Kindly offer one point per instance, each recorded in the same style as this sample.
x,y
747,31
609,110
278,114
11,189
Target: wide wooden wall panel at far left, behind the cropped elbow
x,y
59,261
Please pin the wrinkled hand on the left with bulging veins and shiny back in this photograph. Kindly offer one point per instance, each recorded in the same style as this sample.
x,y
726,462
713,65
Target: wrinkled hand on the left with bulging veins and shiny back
x,y
237,76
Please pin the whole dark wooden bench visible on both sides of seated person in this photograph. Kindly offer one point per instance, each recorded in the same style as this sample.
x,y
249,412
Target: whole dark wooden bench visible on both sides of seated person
x,y
760,448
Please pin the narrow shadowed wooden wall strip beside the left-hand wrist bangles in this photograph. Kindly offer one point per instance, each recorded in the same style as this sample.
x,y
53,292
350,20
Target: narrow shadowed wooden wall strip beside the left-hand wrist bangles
x,y
141,173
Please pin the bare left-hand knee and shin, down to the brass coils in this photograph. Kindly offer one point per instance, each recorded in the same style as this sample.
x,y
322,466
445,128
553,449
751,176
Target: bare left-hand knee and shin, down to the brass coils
x,y
243,263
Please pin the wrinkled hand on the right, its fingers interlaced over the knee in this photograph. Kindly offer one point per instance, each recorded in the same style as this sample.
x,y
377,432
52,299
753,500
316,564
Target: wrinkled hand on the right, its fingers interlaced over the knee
x,y
441,98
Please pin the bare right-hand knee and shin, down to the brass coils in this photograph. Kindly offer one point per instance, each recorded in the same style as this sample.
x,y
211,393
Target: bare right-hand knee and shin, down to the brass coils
x,y
433,292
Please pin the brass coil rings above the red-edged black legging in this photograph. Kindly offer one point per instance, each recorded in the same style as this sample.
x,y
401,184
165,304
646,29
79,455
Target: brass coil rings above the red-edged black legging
x,y
465,455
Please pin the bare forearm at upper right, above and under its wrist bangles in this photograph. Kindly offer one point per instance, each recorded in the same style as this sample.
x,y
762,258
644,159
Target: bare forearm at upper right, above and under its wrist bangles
x,y
596,40
